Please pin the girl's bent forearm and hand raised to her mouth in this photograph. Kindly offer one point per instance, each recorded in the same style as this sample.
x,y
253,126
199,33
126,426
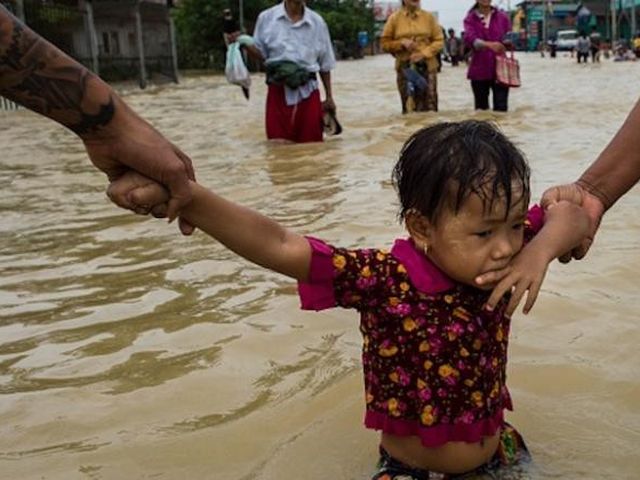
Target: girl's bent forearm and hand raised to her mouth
x,y
565,226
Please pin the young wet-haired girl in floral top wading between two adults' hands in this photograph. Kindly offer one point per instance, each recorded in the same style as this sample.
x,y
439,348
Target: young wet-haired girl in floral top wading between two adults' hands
x,y
434,357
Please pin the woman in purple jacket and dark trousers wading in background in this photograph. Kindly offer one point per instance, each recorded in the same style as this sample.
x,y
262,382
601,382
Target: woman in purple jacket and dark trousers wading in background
x,y
485,28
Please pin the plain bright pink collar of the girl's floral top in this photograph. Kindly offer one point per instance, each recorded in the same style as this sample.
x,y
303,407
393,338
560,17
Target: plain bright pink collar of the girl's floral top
x,y
424,275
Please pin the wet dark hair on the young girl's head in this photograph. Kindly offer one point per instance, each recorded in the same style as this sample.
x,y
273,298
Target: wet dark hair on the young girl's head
x,y
441,165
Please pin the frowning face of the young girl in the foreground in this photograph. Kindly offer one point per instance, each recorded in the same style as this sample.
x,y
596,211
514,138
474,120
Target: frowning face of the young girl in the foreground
x,y
473,241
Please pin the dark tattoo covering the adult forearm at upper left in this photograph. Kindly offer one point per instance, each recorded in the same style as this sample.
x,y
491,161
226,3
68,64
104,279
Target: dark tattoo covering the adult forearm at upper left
x,y
37,75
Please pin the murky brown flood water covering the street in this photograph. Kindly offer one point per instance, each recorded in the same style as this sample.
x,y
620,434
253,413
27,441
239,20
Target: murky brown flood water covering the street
x,y
128,351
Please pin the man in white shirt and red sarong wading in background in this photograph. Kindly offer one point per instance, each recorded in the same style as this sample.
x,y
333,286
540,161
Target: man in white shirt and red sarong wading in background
x,y
295,45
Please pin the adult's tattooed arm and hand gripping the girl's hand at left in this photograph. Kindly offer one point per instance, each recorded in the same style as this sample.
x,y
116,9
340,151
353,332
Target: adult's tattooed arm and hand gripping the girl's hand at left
x,y
36,74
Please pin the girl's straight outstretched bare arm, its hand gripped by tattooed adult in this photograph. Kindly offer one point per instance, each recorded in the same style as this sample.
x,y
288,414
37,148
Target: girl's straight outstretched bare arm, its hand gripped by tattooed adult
x,y
251,235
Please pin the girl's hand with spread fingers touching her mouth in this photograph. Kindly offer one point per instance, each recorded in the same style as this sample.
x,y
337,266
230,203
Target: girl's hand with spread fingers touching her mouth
x,y
525,274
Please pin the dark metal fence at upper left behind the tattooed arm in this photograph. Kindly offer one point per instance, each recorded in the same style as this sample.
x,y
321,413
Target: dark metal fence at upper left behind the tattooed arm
x,y
117,39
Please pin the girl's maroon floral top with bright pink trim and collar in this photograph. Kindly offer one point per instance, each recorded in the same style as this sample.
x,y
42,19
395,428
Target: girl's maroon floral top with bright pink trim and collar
x,y
434,360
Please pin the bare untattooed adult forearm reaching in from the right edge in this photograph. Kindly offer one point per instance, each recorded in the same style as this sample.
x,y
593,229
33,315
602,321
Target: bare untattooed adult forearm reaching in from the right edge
x,y
617,168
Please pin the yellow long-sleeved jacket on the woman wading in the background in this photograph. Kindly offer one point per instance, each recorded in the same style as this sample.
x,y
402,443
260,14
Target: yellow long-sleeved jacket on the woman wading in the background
x,y
419,26
